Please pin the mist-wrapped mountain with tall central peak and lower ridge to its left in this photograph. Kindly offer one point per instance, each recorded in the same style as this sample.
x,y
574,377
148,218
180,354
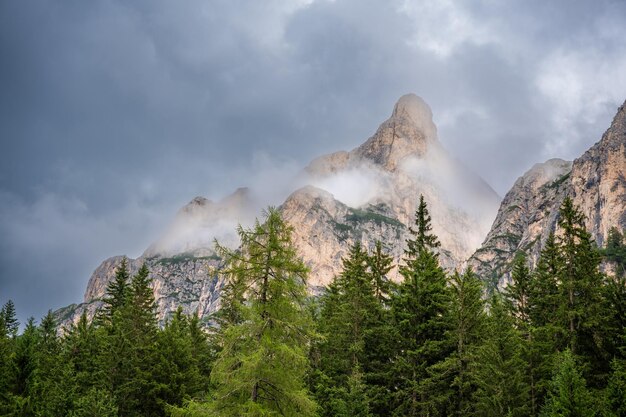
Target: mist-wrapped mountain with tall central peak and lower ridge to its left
x,y
364,195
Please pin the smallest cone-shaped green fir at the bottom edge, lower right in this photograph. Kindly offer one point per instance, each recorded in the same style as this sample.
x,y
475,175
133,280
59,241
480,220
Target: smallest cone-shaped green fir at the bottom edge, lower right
x,y
568,395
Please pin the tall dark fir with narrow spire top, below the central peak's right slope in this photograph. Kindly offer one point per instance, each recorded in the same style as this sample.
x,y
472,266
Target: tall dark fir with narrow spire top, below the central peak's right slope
x,y
421,314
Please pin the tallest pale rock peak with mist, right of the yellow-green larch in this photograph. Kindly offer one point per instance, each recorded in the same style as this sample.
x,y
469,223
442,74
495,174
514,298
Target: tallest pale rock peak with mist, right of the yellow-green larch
x,y
373,190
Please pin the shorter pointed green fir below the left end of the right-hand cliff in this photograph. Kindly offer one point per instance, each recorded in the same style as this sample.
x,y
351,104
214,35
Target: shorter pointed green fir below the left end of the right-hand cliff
x,y
498,369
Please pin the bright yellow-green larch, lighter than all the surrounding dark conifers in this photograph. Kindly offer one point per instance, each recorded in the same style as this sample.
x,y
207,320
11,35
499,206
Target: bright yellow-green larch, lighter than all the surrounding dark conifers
x,y
261,368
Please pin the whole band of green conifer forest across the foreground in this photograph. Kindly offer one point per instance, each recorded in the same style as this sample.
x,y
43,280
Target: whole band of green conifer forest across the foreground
x,y
549,342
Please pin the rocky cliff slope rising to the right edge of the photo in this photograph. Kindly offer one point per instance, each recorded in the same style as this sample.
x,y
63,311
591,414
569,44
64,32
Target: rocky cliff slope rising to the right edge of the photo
x,y
596,182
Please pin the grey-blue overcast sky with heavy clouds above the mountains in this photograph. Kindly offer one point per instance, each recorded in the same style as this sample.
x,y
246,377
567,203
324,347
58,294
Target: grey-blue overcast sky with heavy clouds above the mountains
x,y
115,113
